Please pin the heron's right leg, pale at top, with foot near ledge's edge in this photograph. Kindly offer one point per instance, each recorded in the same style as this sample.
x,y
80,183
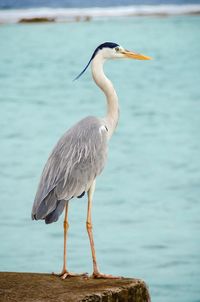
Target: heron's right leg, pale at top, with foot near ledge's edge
x,y
96,272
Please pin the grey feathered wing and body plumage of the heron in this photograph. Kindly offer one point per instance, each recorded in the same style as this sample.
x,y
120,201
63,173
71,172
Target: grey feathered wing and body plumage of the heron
x,y
76,160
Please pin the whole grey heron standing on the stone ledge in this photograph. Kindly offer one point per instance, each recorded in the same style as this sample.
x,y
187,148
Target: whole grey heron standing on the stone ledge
x,y
80,156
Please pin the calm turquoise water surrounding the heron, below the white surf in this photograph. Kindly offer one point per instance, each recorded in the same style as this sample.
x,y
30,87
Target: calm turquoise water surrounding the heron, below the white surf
x,y
146,206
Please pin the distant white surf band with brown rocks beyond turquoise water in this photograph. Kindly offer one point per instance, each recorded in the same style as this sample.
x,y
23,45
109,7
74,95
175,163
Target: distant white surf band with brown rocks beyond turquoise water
x,y
86,14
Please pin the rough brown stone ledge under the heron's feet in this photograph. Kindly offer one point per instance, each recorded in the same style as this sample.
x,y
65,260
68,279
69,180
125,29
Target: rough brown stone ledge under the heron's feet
x,y
29,287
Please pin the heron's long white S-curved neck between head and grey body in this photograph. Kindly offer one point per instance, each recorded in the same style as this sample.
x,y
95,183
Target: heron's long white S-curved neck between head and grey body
x,y
105,84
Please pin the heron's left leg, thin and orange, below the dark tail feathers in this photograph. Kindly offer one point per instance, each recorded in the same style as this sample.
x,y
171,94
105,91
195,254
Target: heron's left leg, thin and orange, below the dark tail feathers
x,y
65,273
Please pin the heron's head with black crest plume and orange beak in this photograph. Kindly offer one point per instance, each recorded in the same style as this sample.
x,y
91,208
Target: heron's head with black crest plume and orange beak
x,y
110,50
